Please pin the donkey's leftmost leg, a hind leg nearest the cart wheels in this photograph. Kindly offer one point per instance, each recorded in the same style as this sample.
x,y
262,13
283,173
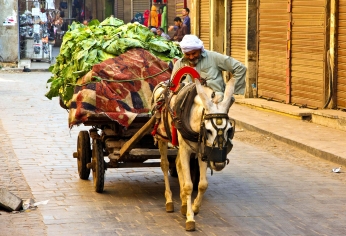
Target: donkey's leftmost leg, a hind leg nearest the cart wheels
x,y
164,167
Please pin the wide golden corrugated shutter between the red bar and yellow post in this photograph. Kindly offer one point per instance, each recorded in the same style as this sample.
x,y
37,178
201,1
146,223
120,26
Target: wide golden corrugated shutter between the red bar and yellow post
x,y
308,53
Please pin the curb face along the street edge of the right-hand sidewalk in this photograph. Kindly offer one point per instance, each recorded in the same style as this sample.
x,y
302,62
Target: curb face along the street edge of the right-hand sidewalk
x,y
314,151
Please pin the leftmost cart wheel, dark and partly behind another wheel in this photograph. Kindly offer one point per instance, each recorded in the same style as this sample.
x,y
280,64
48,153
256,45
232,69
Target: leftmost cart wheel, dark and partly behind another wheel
x,y
84,154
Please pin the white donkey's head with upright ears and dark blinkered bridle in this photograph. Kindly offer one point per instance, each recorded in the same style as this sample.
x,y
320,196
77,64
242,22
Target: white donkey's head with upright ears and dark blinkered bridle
x,y
216,128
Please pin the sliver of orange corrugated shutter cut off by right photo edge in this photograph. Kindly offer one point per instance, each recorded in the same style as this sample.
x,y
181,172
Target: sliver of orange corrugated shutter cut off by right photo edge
x,y
341,82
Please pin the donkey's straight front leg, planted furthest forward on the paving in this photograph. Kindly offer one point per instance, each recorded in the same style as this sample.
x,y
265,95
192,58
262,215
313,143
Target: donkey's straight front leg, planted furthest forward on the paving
x,y
184,156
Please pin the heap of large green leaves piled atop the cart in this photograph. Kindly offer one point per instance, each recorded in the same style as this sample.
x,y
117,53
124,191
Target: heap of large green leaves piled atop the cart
x,y
85,46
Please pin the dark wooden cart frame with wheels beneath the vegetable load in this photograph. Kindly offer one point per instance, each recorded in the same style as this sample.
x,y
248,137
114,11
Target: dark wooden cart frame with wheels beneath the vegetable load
x,y
125,148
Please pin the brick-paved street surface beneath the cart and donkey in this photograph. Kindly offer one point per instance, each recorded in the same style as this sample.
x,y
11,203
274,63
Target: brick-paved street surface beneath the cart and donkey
x,y
263,191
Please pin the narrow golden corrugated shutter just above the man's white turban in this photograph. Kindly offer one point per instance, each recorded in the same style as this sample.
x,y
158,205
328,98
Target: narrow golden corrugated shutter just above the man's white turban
x,y
204,26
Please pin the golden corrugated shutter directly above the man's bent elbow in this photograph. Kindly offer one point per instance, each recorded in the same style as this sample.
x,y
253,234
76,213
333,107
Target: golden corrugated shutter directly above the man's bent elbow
x,y
238,30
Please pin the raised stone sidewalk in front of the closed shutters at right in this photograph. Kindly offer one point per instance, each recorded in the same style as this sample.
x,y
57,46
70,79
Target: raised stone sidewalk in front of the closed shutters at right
x,y
292,125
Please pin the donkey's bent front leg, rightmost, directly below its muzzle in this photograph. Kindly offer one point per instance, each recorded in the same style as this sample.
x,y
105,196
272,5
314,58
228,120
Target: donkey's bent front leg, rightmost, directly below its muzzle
x,y
202,186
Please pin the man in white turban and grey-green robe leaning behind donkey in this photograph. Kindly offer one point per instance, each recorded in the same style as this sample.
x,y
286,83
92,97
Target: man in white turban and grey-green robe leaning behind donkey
x,y
210,66
